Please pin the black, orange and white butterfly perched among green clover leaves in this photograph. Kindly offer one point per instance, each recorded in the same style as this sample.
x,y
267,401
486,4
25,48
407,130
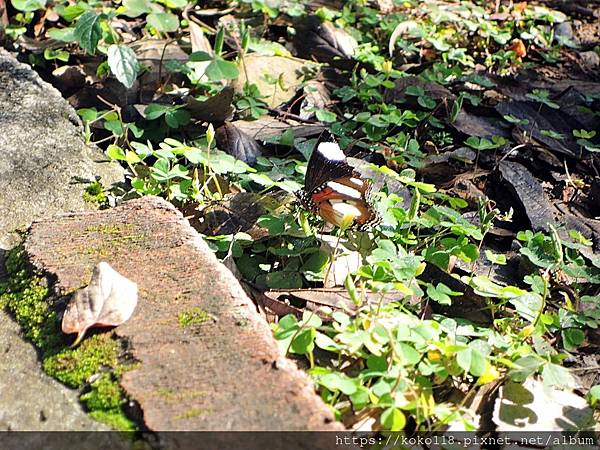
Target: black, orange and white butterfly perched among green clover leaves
x,y
335,189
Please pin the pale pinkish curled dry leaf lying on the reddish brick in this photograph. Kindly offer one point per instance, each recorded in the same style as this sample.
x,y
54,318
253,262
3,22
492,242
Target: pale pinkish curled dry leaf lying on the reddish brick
x,y
109,300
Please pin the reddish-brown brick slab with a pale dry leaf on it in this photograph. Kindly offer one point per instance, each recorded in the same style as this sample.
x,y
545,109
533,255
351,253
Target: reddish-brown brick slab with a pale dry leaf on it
x,y
225,373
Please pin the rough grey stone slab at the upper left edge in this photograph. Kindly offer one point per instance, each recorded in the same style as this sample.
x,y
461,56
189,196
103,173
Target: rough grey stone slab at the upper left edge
x,y
45,164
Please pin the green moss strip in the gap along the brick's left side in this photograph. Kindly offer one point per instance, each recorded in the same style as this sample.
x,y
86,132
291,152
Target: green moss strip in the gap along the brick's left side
x,y
27,297
